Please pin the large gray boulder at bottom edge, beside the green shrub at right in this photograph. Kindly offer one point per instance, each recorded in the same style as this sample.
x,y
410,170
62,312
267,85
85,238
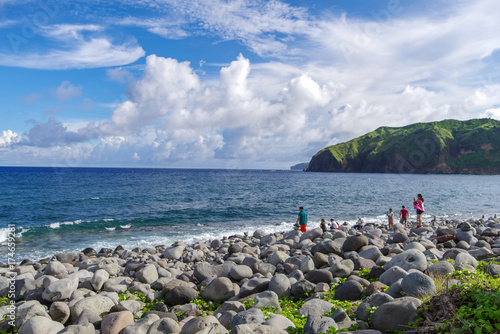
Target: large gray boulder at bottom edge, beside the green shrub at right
x,y
394,315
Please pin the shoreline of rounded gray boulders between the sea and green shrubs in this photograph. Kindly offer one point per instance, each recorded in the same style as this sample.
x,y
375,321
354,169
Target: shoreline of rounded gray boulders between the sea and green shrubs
x,y
97,292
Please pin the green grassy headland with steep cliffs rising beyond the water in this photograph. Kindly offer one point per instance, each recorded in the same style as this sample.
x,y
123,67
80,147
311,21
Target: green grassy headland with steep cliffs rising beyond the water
x,y
446,147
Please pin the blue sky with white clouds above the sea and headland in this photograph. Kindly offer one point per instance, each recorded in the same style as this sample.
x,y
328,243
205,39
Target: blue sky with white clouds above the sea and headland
x,y
233,84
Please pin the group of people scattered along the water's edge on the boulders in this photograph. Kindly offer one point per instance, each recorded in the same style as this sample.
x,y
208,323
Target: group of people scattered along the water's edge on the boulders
x,y
418,205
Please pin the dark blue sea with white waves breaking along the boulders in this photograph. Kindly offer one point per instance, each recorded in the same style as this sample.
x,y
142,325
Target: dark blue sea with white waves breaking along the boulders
x,y
68,209
